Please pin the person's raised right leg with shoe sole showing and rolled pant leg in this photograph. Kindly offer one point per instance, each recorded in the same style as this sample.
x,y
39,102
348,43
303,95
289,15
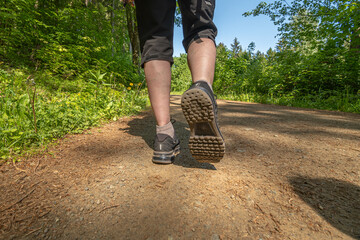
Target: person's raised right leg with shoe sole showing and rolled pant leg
x,y
198,103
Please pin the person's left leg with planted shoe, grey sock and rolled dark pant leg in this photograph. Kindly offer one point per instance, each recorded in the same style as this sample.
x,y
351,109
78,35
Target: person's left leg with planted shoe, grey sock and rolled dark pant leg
x,y
156,25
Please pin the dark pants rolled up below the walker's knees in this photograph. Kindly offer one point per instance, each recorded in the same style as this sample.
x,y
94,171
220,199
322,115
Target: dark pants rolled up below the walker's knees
x,y
156,25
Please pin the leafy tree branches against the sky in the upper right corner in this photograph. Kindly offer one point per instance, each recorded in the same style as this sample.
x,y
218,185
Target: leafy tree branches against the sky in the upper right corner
x,y
326,31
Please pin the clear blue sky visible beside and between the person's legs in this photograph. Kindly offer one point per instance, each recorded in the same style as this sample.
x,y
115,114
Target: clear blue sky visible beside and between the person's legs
x,y
230,23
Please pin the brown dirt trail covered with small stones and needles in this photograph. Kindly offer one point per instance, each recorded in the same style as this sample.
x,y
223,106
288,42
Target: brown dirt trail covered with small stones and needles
x,y
288,173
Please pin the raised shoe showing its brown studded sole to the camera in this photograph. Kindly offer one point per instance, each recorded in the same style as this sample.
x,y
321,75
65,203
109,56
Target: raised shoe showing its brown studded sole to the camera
x,y
199,106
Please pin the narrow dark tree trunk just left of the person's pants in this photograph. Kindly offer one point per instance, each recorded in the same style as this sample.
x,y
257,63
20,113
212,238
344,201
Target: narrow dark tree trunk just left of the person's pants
x,y
133,34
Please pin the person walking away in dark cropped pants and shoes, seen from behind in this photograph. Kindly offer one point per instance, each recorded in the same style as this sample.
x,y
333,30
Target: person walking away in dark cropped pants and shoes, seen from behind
x,y
156,26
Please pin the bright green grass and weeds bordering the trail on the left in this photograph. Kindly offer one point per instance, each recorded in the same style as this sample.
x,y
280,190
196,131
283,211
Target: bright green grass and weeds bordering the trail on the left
x,y
34,113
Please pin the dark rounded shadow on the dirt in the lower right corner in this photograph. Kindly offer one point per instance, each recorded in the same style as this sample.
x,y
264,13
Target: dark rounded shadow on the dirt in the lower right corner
x,y
338,202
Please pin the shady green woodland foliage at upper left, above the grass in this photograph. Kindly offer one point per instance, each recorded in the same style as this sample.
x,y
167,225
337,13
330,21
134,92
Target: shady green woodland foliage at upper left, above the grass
x,y
66,38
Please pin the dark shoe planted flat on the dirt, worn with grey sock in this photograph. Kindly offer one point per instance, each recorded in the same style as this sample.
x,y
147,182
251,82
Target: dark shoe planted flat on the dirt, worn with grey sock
x,y
165,149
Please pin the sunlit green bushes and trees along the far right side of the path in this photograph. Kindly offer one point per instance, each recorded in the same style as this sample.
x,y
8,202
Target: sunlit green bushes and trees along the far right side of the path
x,y
306,78
